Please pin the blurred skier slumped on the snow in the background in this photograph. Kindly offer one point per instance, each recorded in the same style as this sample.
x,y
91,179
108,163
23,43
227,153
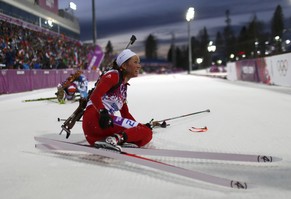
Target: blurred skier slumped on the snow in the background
x,y
76,83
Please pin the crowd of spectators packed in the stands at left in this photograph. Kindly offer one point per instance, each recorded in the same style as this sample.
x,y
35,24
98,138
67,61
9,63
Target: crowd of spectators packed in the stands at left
x,y
22,48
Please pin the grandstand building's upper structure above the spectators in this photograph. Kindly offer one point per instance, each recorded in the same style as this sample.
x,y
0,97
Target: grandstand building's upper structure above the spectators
x,y
40,15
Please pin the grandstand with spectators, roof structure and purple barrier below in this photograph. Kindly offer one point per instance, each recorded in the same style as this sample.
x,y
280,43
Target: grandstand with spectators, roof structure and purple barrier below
x,y
34,54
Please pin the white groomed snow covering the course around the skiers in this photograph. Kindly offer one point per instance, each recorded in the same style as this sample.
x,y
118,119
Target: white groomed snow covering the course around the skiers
x,y
244,118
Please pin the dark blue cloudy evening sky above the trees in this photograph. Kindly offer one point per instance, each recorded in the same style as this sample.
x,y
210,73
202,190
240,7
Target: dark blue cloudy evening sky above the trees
x,y
142,17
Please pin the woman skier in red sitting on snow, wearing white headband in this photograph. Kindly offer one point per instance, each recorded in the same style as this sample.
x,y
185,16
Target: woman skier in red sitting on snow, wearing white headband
x,y
108,97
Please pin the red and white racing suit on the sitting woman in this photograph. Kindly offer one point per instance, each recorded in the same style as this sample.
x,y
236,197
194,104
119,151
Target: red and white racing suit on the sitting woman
x,y
113,101
